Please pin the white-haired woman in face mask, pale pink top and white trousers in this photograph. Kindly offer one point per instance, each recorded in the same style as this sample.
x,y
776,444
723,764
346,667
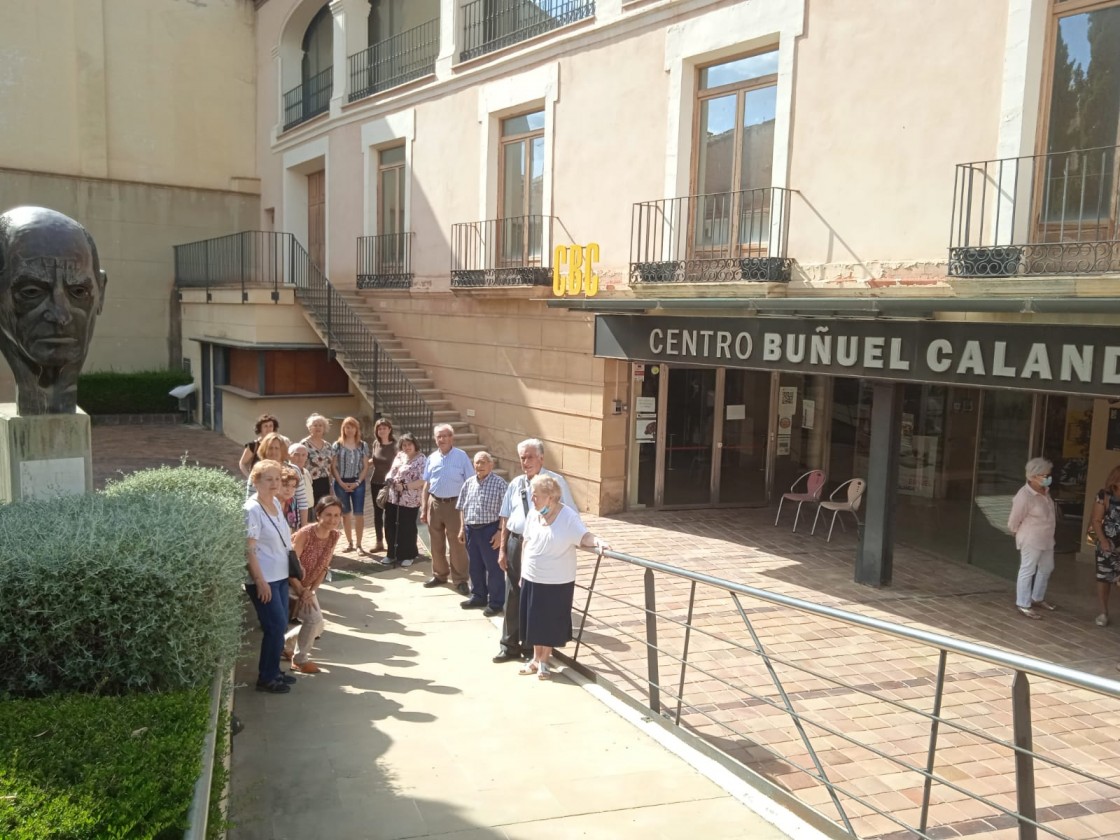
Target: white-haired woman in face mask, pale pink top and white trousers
x,y
1033,519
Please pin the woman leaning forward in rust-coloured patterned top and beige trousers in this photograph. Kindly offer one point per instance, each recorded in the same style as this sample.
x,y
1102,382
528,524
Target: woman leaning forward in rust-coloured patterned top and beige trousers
x,y
315,545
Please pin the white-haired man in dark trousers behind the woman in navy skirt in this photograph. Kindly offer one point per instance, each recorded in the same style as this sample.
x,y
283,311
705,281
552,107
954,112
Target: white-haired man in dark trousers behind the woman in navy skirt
x,y
481,503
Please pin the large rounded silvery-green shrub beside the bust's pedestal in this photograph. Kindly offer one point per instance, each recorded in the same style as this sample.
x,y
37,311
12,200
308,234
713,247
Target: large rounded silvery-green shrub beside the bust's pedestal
x,y
136,589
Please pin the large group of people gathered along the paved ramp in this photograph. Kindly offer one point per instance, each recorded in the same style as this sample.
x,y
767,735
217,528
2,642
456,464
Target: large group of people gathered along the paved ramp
x,y
509,548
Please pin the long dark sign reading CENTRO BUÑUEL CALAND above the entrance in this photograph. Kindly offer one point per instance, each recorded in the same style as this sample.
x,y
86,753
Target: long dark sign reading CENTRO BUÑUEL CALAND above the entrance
x,y
1058,359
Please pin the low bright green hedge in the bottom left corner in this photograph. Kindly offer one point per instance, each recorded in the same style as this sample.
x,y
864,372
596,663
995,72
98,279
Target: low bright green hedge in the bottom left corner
x,y
74,768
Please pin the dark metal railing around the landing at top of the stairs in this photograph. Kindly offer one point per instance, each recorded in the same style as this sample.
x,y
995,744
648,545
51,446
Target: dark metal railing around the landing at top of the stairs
x,y
250,259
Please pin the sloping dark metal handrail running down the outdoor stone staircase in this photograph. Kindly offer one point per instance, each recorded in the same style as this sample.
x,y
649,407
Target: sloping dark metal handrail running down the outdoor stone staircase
x,y
344,330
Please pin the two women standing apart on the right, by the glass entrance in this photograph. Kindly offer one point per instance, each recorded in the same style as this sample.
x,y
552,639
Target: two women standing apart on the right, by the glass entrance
x,y
1034,519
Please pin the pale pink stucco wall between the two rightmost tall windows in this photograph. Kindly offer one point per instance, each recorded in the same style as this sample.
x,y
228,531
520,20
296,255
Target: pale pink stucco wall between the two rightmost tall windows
x,y
888,102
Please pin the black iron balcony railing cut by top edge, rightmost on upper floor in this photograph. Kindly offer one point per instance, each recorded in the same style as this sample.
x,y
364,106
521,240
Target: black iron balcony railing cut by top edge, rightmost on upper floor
x,y
490,25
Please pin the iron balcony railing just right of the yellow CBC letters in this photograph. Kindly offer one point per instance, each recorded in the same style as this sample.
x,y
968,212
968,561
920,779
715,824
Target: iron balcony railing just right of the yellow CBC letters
x,y
715,238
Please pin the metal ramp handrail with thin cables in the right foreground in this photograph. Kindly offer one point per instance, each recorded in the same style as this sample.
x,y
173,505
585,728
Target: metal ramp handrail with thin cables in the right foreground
x,y
1021,745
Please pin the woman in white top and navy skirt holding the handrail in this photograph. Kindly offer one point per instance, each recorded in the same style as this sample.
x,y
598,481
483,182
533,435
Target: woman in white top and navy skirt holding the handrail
x,y
554,533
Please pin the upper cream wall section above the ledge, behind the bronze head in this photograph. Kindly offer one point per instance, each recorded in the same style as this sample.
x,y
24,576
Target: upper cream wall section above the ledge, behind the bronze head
x,y
155,91
